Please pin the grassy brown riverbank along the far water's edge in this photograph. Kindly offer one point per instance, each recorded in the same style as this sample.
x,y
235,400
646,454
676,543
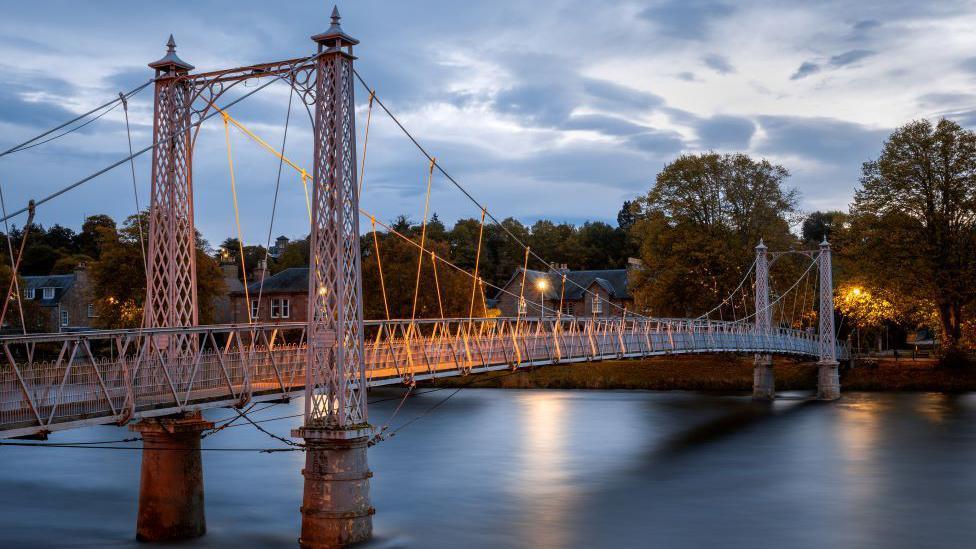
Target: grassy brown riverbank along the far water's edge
x,y
722,373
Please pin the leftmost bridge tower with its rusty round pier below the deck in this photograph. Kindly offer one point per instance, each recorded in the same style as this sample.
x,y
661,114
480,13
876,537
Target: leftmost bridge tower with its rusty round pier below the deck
x,y
171,483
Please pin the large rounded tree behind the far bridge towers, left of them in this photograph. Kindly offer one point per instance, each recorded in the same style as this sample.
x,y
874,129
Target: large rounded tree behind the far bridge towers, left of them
x,y
699,226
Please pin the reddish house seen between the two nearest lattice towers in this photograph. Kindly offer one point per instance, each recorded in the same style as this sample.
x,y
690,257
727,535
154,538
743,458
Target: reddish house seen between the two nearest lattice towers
x,y
283,297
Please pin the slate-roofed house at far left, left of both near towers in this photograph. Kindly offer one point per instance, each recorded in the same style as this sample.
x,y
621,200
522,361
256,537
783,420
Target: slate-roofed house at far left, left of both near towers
x,y
67,299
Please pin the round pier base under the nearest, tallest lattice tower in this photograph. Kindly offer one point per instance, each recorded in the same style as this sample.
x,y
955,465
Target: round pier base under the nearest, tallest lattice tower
x,y
335,505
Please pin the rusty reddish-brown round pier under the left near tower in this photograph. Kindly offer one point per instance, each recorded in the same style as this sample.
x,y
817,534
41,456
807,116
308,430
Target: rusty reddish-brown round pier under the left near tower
x,y
171,485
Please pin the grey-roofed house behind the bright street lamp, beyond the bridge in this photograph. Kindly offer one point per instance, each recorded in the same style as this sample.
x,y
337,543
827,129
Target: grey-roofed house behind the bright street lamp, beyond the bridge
x,y
602,292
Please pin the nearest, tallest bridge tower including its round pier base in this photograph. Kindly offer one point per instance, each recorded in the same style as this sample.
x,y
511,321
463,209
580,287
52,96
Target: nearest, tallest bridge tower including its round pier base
x,y
335,506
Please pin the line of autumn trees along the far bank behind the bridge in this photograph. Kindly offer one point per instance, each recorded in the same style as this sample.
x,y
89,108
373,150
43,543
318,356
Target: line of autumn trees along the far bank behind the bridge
x,y
905,250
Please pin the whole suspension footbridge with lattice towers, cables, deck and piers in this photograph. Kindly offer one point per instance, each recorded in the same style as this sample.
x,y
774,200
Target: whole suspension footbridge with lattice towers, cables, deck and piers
x,y
159,377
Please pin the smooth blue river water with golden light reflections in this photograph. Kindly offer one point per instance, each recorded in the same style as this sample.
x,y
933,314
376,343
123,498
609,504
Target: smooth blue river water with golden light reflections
x,y
493,468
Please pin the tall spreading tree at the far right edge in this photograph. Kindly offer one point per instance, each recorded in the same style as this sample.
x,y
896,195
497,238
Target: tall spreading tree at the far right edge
x,y
915,220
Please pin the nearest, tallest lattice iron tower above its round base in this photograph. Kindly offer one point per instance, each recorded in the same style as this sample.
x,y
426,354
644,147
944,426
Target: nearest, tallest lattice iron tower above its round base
x,y
335,395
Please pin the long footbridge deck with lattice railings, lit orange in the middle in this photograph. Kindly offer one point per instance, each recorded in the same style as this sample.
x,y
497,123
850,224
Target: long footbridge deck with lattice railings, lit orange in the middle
x,y
60,381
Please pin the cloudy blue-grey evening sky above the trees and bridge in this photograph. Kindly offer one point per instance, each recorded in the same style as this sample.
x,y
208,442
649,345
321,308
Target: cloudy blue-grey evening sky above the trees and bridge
x,y
555,109
